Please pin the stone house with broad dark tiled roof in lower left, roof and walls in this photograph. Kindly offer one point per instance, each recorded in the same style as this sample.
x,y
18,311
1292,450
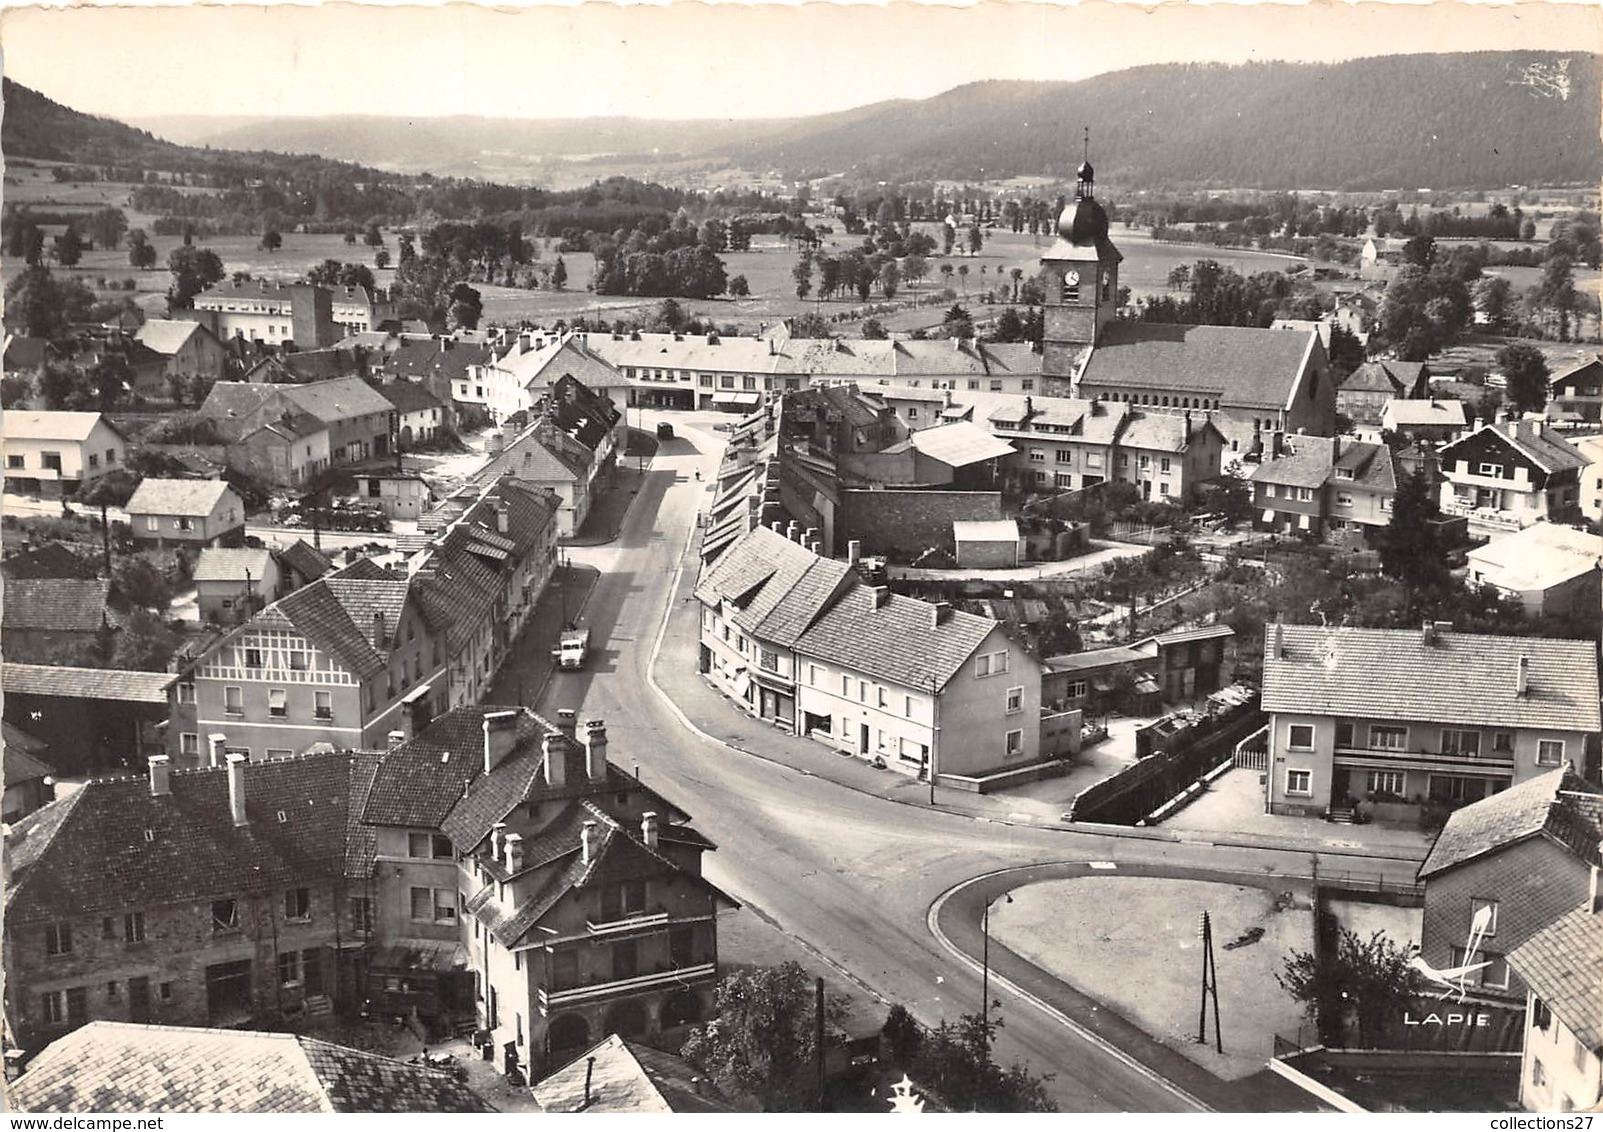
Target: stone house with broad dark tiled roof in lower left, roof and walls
x,y
236,900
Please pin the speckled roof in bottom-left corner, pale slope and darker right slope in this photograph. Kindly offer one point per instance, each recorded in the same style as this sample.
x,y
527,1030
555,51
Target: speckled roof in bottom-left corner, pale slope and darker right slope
x,y
118,1067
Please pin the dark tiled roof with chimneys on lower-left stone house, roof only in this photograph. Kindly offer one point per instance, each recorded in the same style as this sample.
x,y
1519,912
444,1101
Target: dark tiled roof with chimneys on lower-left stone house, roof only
x,y
113,844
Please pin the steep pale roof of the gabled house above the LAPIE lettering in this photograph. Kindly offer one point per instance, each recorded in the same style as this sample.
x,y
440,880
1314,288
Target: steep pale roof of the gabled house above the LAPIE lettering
x,y
1538,806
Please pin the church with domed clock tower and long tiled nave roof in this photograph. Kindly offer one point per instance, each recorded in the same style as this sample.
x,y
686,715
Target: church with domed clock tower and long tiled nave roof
x,y
1251,382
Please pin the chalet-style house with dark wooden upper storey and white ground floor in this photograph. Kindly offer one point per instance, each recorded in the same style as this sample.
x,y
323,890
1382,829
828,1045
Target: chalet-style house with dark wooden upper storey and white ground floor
x,y
1509,475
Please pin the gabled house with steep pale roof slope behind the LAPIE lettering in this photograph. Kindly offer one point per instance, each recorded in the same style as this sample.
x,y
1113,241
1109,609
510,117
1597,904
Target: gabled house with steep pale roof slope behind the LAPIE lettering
x,y
1520,860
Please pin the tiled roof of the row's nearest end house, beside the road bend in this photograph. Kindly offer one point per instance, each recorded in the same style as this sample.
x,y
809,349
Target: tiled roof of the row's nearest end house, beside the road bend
x,y
895,642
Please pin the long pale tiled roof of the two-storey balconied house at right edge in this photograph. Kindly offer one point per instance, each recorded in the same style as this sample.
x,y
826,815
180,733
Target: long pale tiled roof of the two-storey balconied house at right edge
x,y
1458,679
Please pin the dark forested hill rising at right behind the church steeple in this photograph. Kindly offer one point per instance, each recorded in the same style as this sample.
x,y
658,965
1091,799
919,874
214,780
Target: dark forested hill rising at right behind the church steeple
x,y
1423,121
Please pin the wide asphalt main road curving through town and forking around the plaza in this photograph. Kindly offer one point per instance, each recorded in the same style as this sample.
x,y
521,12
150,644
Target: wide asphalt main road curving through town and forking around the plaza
x,y
849,875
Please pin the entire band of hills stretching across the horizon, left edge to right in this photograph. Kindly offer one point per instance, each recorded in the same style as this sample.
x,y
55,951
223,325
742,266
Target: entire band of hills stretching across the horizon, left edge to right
x,y
1487,119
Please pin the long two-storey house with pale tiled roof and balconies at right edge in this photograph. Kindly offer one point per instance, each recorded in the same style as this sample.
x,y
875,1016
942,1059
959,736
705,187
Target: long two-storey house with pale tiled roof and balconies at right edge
x,y
1405,719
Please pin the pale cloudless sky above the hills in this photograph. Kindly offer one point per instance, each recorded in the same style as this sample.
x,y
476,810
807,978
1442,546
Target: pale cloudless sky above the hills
x,y
685,60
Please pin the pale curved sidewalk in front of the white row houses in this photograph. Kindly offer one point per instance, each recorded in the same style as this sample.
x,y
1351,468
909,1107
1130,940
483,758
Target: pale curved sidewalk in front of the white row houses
x,y
1038,806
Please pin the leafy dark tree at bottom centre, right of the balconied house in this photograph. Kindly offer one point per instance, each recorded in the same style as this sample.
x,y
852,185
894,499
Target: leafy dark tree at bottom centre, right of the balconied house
x,y
762,1040
